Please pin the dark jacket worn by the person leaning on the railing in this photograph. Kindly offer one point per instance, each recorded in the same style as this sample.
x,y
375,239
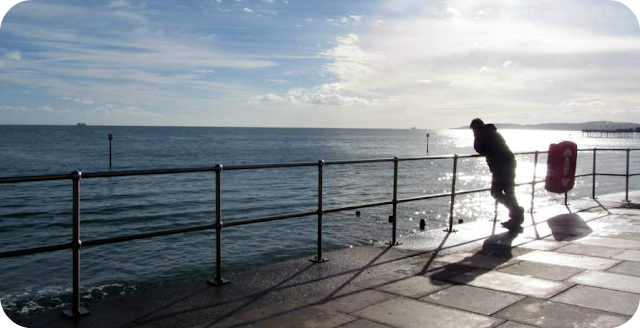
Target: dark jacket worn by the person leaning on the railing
x,y
489,143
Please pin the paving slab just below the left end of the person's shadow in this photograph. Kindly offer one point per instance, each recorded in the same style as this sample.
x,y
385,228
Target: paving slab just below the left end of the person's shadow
x,y
473,299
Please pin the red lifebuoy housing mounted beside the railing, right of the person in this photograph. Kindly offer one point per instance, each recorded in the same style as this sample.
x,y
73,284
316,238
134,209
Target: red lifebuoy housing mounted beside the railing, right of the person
x,y
561,167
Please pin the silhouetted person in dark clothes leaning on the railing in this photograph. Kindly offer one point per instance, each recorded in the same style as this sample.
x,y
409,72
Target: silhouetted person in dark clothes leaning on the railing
x,y
502,164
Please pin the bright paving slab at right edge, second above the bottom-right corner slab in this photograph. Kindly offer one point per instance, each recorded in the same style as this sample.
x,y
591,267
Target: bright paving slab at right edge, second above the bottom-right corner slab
x,y
615,281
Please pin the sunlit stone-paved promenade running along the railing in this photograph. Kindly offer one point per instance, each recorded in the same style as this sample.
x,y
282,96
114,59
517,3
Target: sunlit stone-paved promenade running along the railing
x,y
572,266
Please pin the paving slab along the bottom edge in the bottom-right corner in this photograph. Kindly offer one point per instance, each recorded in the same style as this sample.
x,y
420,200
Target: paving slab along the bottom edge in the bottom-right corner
x,y
549,314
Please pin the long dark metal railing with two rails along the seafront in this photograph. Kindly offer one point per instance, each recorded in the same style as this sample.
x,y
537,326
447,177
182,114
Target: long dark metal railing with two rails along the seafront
x,y
76,243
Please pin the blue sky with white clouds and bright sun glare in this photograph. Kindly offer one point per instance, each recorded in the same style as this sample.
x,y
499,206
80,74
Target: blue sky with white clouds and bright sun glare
x,y
335,63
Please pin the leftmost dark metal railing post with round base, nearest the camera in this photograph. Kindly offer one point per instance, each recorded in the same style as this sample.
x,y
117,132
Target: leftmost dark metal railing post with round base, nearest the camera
x,y
76,311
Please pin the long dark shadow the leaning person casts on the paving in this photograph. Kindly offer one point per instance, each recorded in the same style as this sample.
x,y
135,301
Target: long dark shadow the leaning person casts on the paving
x,y
496,250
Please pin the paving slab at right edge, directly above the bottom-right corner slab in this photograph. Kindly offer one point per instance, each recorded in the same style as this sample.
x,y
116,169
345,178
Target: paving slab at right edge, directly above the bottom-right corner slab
x,y
601,299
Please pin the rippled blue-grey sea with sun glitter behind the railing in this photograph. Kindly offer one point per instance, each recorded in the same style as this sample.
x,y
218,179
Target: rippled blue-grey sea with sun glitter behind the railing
x,y
39,213
